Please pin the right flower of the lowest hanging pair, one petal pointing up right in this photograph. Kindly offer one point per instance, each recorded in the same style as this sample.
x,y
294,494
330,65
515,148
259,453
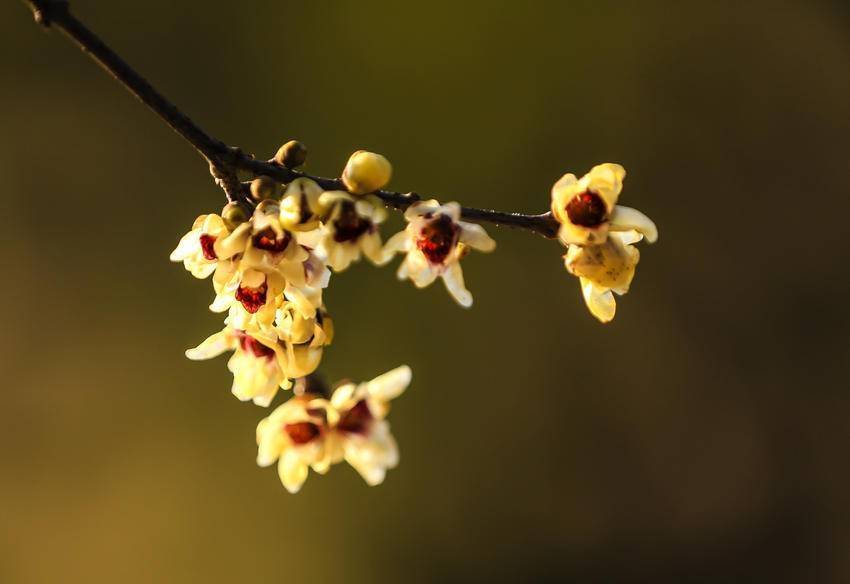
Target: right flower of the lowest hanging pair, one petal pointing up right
x,y
360,434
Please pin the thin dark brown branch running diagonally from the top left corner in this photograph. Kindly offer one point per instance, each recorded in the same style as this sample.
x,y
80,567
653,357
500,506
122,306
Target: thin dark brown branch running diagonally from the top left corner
x,y
225,161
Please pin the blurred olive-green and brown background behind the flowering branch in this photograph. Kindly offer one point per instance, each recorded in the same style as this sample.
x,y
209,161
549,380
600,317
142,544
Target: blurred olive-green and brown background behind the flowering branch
x,y
702,436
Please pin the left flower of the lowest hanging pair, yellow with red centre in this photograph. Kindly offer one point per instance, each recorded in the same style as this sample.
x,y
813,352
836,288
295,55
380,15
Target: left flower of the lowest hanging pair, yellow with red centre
x,y
294,435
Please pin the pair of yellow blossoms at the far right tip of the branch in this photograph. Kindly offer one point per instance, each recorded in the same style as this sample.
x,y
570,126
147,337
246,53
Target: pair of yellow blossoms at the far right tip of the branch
x,y
599,235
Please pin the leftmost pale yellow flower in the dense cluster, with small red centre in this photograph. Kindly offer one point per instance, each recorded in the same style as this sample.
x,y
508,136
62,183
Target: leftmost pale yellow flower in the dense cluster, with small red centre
x,y
209,242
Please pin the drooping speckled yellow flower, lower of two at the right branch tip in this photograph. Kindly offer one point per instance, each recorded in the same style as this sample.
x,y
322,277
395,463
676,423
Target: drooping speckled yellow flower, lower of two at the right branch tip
x,y
604,269
